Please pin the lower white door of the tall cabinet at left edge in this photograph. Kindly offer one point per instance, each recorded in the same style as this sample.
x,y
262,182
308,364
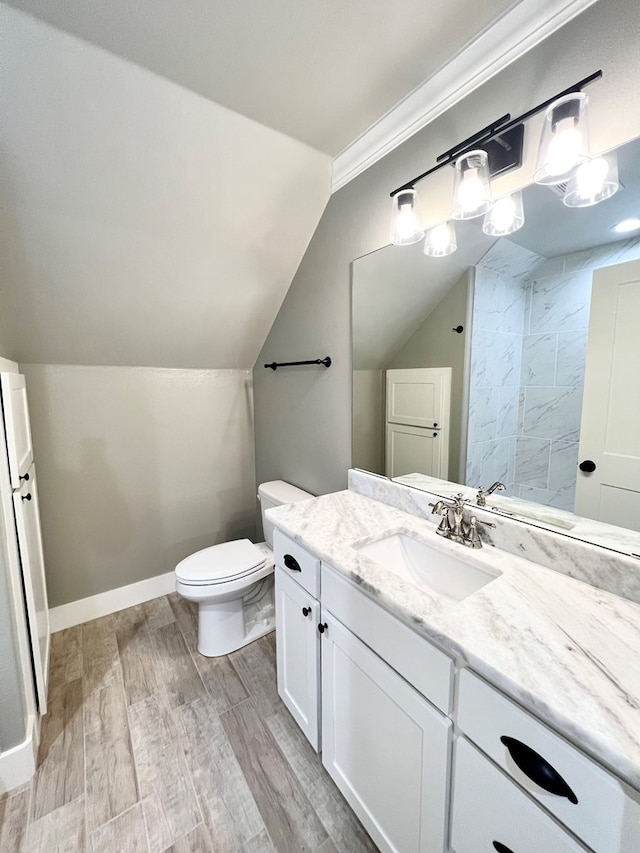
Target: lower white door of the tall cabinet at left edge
x,y
25,502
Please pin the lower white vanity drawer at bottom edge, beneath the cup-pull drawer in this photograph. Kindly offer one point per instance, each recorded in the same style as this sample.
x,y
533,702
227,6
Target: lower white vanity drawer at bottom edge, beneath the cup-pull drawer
x,y
489,813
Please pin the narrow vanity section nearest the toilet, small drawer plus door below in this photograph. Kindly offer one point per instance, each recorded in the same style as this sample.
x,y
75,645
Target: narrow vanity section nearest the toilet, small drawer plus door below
x,y
297,584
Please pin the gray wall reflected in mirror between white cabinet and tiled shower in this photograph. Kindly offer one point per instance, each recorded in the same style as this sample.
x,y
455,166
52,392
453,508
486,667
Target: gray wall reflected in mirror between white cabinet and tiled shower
x,y
435,344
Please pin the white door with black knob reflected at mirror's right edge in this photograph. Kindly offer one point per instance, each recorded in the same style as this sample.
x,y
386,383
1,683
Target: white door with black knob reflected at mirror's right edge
x,y
610,431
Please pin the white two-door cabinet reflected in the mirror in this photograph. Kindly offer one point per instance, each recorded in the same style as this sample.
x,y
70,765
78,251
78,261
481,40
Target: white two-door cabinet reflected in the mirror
x,y
418,403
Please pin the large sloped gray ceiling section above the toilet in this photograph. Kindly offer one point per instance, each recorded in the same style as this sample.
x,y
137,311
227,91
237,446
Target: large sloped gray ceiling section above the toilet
x,y
142,223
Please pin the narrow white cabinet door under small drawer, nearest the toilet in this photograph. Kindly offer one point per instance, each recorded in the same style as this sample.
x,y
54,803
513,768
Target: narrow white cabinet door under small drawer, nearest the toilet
x,y
298,654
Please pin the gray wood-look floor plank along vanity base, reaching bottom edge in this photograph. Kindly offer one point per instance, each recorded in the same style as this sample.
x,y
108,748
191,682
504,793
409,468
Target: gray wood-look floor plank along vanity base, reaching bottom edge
x,y
337,817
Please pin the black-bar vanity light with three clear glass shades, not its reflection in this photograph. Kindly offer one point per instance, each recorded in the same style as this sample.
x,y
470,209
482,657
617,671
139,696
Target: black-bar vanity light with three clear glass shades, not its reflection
x,y
501,143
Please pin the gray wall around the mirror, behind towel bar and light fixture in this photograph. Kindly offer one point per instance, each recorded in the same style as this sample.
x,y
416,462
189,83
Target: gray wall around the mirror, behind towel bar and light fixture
x,y
303,416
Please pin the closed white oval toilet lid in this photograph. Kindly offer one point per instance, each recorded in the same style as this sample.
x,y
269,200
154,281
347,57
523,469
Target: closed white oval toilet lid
x,y
219,563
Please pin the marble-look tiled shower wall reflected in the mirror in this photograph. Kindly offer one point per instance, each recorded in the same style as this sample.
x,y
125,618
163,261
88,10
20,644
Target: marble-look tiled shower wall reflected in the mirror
x,y
537,458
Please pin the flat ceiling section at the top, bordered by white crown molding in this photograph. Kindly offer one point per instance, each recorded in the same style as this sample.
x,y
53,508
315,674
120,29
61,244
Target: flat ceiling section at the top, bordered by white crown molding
x,y
320,71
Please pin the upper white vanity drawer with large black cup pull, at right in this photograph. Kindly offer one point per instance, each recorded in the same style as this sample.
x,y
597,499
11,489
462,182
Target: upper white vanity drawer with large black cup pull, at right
x,y
596,806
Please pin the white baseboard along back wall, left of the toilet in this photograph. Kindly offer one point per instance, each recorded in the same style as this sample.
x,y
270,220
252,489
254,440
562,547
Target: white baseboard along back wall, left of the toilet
x,y
85,609
